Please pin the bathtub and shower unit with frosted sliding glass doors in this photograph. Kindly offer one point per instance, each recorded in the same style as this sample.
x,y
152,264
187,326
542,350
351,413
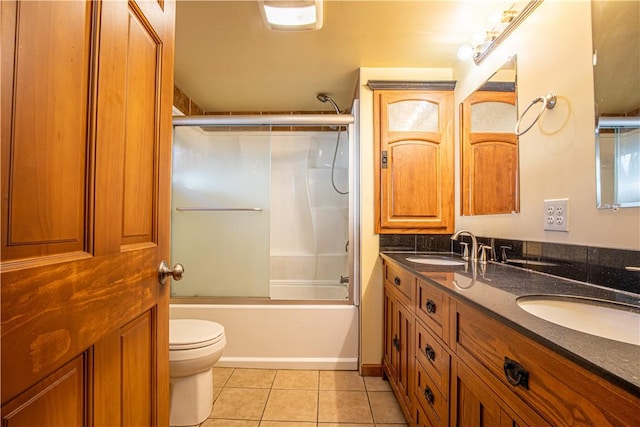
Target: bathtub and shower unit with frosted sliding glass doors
x,y
262,220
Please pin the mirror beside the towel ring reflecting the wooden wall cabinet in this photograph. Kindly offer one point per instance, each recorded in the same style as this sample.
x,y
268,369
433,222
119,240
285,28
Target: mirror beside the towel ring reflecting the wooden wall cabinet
x,y
489,146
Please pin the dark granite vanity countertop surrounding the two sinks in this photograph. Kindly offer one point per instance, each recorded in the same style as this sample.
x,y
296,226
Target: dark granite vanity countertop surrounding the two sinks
x,y
495,290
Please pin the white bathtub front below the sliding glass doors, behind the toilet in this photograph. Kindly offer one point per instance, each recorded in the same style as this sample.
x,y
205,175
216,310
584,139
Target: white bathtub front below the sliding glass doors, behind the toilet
x,y
283,336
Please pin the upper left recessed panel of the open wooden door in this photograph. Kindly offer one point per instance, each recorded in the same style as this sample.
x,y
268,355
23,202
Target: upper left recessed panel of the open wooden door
x,y
44,210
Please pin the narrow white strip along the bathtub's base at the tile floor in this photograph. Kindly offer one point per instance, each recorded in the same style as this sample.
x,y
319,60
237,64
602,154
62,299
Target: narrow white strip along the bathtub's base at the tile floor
x,y
308,363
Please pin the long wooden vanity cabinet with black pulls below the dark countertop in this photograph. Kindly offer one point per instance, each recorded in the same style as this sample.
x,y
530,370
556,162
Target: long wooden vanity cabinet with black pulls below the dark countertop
x,y
454,371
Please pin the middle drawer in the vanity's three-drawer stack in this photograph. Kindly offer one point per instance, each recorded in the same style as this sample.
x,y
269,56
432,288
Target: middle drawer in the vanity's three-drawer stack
x,y
433,356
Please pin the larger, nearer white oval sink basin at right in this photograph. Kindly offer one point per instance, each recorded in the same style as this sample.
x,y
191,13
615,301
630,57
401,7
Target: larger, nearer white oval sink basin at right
x,y
608,320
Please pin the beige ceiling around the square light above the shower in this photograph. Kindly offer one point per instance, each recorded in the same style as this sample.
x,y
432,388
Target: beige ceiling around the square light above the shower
x,y
226,59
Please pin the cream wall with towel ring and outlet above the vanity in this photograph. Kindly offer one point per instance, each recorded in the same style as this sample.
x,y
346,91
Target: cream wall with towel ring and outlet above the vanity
x,y
557,156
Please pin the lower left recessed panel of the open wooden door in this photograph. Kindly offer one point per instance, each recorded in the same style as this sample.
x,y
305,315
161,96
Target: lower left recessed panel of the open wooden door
x,y
58,400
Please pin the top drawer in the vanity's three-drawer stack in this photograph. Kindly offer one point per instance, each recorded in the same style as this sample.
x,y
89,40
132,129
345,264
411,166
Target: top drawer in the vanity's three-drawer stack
x,y
432,307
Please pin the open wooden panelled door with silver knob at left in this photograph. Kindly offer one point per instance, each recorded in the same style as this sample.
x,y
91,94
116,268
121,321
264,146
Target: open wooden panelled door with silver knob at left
x,y
86,135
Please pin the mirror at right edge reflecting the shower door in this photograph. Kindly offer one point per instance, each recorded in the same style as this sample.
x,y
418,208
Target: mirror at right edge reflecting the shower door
x,y
616,61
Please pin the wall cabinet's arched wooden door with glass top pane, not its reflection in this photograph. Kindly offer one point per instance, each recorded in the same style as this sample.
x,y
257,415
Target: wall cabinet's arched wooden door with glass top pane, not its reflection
x,y
414,161
